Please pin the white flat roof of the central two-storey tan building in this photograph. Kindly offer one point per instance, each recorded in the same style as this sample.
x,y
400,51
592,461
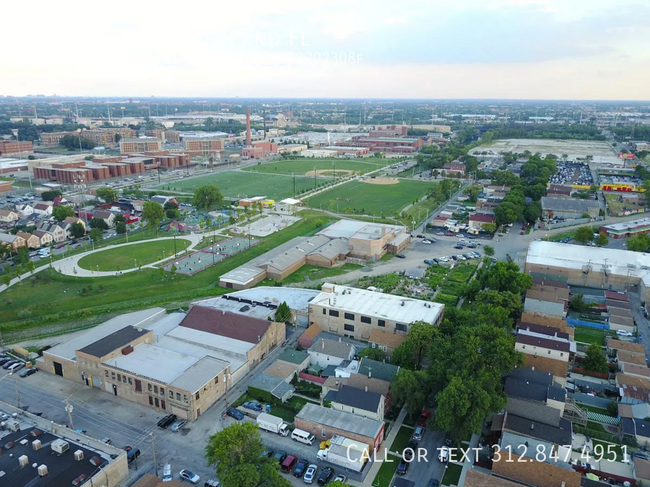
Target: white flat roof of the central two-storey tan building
x,y
380,305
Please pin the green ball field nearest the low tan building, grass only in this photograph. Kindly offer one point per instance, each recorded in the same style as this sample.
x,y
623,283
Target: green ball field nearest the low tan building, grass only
x,y
375,199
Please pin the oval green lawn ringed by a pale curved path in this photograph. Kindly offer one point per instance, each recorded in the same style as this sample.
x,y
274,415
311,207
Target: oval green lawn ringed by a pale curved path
x,y
132,255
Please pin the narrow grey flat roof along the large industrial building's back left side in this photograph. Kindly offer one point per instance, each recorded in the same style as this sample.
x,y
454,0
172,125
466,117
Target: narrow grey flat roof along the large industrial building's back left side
x,y
66,349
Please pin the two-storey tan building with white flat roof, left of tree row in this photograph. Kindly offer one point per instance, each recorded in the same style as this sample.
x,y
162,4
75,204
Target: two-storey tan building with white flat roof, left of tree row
x,y
355,313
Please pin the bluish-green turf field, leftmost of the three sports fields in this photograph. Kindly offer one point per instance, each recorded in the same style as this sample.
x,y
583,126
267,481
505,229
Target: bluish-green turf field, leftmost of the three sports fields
x,y
241,184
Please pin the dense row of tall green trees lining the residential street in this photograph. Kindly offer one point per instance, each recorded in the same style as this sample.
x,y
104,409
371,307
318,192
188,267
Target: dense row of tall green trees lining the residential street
x,y
458,366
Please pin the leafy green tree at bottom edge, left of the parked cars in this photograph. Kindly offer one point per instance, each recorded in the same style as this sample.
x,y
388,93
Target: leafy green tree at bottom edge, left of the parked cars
x,y
236,454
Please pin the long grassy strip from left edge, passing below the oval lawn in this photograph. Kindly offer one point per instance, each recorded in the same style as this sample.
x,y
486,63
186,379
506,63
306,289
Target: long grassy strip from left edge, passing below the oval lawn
x,y
131,291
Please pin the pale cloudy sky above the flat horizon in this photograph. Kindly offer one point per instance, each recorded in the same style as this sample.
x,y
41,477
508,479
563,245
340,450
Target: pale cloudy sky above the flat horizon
x,y
506,49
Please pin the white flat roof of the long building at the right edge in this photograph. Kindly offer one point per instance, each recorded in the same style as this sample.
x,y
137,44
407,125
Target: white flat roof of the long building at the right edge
x,y
618,262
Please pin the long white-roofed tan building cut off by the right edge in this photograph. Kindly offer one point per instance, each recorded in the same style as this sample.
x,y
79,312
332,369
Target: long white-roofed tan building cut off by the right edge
x,y
596,267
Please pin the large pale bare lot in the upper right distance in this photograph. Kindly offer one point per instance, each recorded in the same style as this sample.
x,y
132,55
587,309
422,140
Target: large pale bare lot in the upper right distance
x,y
600,151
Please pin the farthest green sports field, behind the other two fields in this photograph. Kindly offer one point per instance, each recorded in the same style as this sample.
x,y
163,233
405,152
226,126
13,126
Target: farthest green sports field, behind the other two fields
x,y
303,166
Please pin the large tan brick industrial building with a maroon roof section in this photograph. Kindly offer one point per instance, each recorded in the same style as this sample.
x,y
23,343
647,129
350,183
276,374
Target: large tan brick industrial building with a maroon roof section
x,y
178,363
